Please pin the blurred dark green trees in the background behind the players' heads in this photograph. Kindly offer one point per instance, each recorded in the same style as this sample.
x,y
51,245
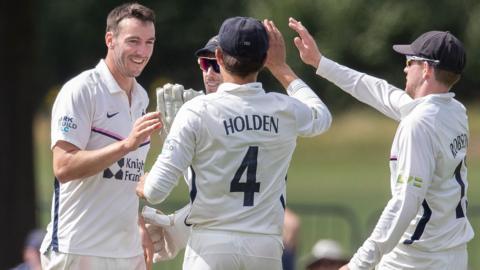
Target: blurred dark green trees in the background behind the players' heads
x,y
357,33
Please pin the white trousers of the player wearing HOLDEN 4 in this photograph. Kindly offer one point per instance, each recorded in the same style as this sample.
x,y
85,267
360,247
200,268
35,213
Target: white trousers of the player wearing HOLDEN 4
x,y
223,250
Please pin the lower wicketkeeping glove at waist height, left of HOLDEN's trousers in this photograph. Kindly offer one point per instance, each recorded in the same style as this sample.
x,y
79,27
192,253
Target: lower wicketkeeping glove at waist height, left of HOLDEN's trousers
x,y
169,233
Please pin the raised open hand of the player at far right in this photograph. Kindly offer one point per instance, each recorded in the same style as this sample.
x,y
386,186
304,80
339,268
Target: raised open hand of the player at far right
x,y
305,44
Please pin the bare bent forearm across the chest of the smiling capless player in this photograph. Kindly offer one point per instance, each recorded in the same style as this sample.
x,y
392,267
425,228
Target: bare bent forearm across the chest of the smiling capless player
x,y
71,163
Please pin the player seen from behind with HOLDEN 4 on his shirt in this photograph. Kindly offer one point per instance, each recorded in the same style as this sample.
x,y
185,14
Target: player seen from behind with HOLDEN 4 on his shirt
x,y
238,143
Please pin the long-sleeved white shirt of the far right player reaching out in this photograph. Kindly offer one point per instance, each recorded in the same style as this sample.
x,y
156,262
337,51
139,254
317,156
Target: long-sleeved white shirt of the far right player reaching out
x,y
427,211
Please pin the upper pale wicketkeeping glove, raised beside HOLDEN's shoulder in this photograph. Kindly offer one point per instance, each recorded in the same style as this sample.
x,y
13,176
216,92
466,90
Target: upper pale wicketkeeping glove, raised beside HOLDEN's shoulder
x,y
170,98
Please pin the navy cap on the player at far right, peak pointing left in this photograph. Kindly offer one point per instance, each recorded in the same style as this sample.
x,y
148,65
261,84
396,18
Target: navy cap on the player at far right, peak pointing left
x,y
437,45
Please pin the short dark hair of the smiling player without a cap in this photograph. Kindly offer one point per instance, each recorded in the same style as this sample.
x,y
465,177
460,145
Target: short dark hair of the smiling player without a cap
x,y
128,10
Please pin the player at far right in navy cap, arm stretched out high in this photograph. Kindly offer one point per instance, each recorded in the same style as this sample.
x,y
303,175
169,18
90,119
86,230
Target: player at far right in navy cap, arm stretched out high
x,y
425,224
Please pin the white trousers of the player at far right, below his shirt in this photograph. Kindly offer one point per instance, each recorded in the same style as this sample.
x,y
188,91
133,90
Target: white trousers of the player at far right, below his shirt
x,y
405,257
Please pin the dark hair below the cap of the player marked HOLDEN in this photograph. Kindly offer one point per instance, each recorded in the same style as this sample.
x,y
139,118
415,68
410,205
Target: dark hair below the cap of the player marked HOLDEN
x,y
243,66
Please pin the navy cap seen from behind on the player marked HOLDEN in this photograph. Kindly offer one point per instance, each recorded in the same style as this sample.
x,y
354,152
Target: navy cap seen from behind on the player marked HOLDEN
x,y
243,37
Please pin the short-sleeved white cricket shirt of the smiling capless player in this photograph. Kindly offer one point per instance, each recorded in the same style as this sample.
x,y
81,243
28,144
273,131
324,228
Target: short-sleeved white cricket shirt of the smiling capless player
x,y
97,215
